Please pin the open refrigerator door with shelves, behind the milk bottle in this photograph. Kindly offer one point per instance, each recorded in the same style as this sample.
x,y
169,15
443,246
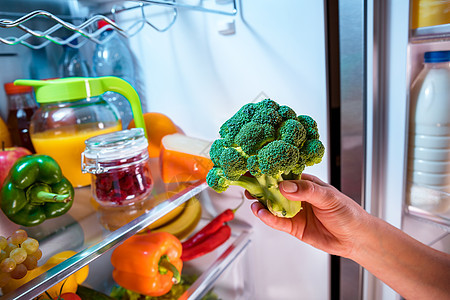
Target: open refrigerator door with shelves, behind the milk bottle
x,y
396,43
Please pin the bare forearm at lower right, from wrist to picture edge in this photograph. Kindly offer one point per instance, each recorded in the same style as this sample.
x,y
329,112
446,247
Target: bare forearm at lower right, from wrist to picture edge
x,y
411,268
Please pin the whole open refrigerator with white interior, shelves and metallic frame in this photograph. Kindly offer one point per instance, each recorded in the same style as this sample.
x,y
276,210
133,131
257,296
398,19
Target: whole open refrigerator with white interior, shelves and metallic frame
x,y
345,63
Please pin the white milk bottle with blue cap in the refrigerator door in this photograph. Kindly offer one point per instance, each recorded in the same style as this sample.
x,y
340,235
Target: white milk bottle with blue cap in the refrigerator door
x,y
429,156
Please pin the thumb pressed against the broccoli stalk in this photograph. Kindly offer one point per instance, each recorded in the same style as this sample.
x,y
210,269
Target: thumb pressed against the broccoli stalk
x,y
308,191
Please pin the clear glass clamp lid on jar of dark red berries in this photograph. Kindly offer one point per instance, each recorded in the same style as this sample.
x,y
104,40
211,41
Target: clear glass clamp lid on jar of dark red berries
x,y
108,147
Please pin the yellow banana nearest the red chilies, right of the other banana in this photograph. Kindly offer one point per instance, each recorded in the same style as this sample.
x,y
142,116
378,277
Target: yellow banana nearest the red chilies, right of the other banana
x,y
186,222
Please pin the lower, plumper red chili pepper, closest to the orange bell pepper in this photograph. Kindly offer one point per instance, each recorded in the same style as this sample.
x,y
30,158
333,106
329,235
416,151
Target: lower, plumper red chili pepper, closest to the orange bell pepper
x,y
207,245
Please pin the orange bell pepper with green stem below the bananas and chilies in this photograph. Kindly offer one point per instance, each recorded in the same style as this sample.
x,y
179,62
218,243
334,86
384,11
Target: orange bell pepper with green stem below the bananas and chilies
x,y
148,263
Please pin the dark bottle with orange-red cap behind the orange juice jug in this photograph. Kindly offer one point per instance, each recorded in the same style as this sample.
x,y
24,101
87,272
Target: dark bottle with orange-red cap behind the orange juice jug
x,y
21,107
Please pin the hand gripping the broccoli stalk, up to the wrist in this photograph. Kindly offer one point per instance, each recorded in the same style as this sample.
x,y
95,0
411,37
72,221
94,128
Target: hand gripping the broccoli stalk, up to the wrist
x,y
329,220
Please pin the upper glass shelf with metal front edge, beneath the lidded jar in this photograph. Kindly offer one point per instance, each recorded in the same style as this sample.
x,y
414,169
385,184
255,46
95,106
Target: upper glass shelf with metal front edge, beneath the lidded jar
x,y
81,230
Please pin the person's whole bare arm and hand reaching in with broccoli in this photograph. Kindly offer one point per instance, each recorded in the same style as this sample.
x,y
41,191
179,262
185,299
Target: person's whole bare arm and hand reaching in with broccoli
x,y
334,223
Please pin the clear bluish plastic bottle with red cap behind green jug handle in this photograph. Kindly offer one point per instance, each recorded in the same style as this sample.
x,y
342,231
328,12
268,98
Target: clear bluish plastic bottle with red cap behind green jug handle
x,y
113,58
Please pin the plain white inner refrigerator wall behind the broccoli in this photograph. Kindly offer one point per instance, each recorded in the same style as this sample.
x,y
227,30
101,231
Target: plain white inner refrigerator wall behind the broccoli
x,y
199,78
